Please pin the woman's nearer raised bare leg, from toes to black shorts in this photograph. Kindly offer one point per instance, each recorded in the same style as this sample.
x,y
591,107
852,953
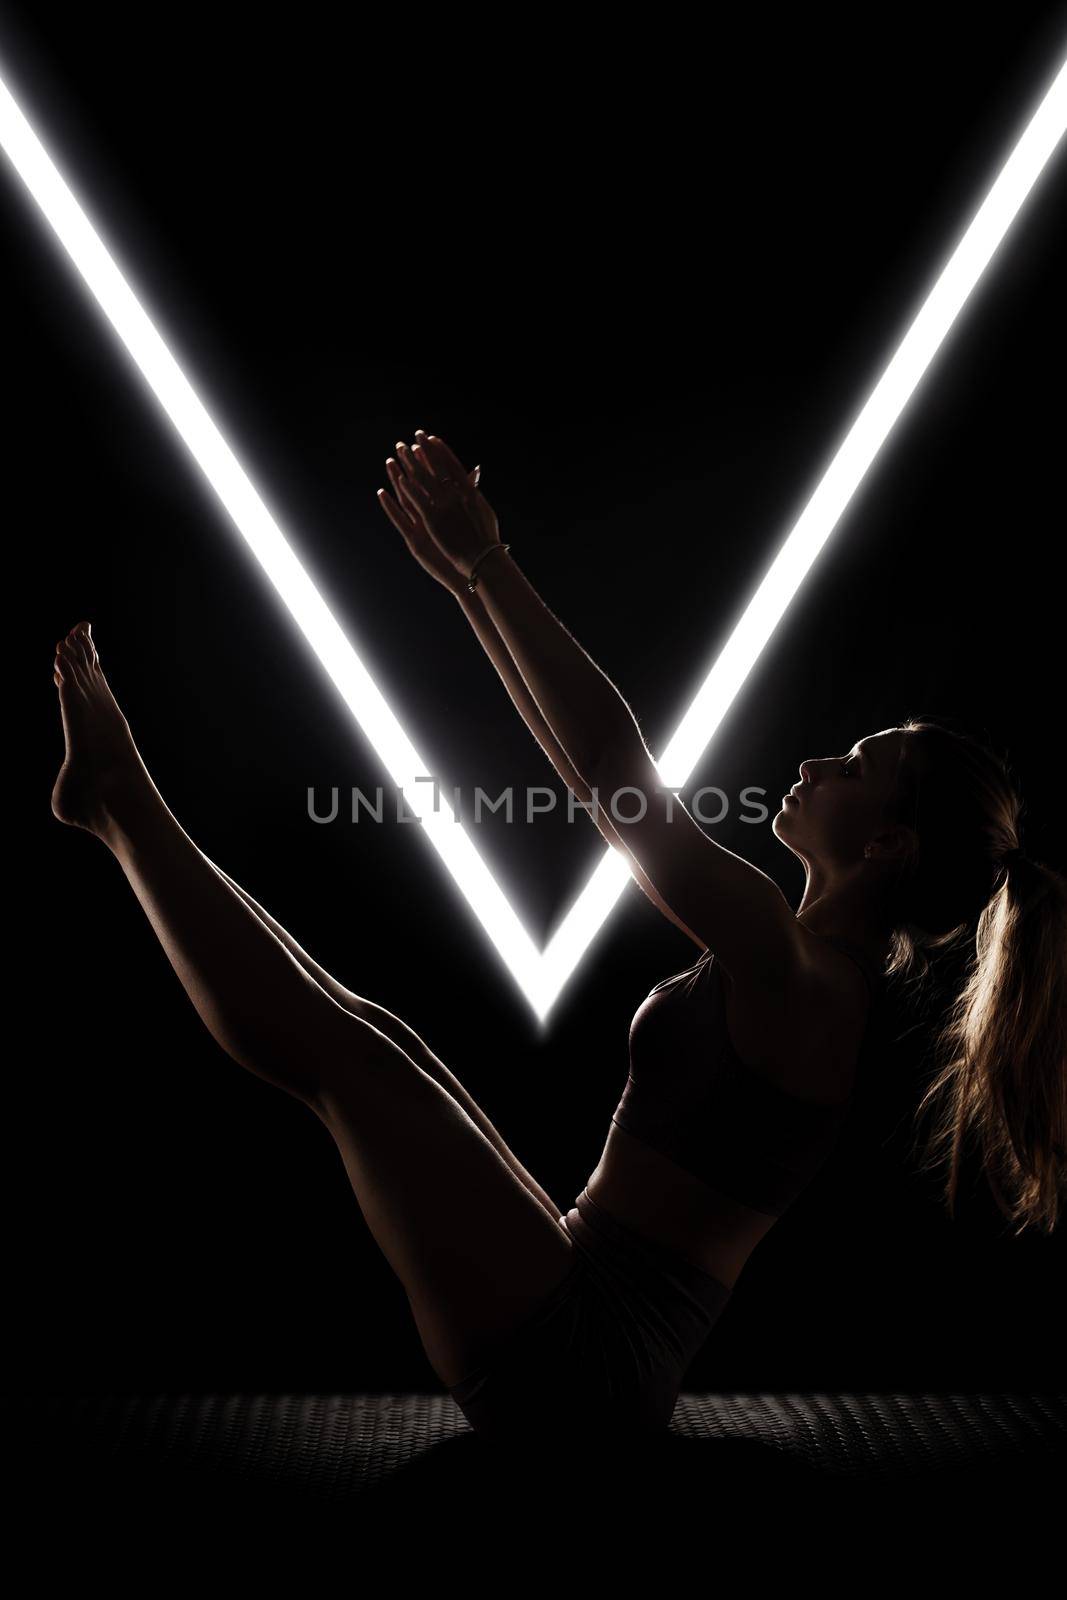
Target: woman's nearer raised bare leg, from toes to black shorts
x,y
470,1241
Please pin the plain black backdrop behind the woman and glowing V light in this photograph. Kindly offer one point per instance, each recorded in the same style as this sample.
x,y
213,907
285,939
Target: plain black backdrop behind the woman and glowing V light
x,y
645,276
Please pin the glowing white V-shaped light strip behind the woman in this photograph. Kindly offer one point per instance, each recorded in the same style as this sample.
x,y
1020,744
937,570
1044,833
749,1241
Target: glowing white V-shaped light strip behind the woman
x,y
540,975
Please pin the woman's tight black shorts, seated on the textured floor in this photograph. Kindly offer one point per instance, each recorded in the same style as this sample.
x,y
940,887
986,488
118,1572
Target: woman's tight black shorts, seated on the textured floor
x,y
605,1354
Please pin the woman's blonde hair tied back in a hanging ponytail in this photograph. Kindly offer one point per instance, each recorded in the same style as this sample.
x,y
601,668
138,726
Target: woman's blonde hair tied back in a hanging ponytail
x,y
1001,1082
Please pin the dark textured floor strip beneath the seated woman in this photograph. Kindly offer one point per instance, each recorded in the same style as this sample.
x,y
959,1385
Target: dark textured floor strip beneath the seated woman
x,y
364,1450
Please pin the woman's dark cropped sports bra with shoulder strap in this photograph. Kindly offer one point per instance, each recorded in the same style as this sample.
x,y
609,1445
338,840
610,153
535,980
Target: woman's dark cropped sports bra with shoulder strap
x,y
693,1100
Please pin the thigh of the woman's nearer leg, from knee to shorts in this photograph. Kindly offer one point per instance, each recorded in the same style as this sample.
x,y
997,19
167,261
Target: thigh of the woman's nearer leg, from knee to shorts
x,y
476,1250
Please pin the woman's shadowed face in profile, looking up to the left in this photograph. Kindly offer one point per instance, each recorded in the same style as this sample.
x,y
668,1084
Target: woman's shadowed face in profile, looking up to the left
x,y
842,804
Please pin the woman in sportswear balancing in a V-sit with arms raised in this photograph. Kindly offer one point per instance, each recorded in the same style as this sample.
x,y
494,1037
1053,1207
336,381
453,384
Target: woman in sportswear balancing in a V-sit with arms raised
x,y
540,1322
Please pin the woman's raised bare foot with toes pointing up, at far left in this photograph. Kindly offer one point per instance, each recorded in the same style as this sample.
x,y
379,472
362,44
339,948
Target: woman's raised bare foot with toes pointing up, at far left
x,y
102,767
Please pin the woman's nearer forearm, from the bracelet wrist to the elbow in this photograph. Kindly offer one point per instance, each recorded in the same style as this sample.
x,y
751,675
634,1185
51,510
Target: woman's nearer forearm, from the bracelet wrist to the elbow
x,y
577,702
